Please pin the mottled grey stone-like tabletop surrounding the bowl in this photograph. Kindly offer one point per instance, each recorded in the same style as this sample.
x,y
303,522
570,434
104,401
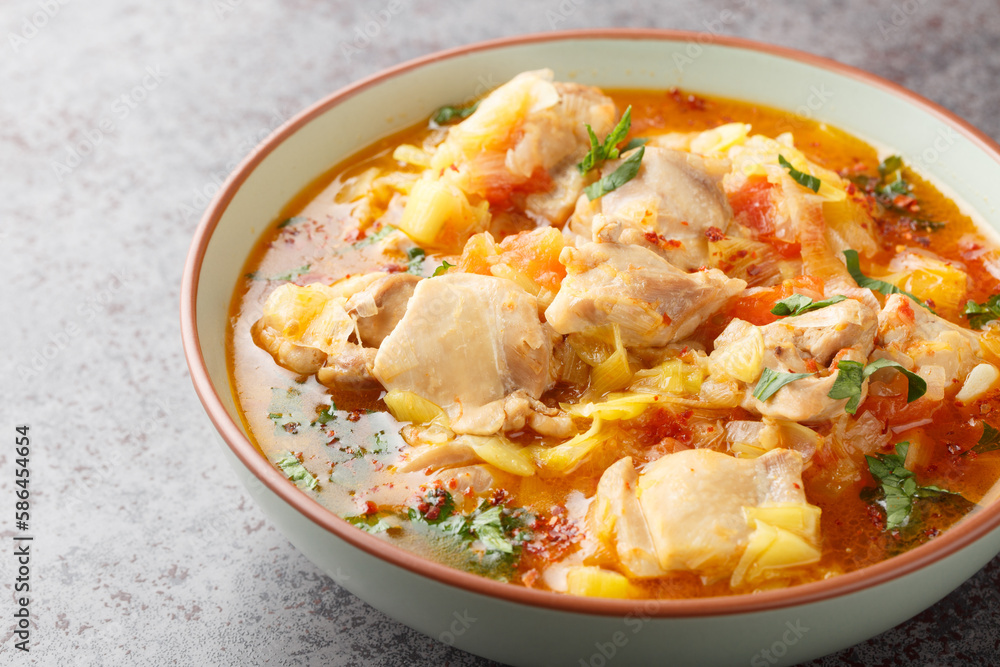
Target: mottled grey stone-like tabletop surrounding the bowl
x,y
117,120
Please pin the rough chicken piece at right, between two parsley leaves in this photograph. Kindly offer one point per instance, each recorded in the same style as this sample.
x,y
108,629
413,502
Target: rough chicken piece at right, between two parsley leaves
x,y
815,341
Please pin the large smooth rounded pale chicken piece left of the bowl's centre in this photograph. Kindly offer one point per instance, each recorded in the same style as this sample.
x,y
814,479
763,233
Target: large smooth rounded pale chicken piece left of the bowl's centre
x,y
465,343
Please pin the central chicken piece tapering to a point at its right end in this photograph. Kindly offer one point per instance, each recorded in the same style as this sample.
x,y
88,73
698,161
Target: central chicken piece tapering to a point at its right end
x,y
654,302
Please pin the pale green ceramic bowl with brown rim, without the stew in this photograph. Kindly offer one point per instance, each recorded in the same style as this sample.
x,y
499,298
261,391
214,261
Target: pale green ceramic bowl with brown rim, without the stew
x,y
527,627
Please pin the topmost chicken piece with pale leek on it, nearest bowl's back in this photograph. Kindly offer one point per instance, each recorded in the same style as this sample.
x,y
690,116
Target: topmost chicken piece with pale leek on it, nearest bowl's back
x,y
524,140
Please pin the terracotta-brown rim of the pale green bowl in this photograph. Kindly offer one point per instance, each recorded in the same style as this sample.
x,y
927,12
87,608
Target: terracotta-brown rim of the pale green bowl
x,y
969,530
